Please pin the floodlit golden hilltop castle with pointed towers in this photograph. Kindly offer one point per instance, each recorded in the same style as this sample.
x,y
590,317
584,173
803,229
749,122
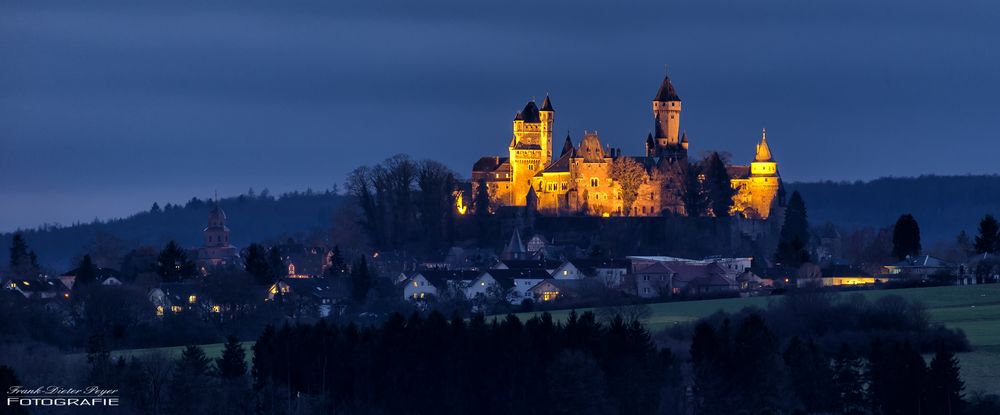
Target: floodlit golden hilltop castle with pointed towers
x,y
581,179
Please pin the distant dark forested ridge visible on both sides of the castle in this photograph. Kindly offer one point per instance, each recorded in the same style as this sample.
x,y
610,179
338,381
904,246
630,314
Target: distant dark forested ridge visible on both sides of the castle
x,y
943,205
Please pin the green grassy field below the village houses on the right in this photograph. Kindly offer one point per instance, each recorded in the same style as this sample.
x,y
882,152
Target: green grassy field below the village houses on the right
x,y
973,308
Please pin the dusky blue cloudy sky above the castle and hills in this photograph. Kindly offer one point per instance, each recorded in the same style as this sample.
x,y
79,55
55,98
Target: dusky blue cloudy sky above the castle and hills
x,y
107,106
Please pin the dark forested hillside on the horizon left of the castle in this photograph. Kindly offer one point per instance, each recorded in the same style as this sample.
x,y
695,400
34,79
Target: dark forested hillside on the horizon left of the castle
x,y
251,219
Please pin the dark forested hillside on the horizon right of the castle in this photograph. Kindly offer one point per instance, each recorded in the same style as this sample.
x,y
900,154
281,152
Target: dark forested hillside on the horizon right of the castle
x,y
943,205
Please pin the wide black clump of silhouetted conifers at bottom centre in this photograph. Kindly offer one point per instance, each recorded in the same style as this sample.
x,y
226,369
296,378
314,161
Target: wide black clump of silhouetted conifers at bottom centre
x,y
432,365
